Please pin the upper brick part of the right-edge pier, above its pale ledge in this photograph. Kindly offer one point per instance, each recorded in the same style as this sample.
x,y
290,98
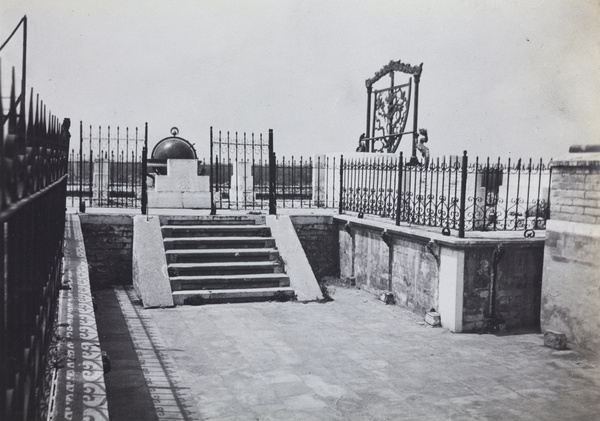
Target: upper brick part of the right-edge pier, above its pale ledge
x,y
575,194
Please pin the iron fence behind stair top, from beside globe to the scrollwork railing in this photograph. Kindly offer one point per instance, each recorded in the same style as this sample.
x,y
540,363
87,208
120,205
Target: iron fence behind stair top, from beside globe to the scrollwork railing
x,y
246,174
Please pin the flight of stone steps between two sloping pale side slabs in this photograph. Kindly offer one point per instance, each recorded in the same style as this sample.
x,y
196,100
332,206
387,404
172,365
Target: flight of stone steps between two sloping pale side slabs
x,y
216,260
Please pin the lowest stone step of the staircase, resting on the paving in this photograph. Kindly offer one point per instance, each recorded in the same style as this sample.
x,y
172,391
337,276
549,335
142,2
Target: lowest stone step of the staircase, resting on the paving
x,y
232,295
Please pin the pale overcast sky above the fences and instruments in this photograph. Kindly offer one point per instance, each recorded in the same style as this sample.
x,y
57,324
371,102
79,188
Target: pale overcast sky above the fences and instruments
x,y
500,78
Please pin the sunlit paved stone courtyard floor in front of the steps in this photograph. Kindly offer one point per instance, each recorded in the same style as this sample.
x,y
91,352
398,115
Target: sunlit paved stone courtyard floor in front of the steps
x,y
357,359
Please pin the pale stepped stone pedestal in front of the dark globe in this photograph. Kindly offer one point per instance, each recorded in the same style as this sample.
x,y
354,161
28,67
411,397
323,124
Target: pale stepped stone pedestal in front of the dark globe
x,y
181,187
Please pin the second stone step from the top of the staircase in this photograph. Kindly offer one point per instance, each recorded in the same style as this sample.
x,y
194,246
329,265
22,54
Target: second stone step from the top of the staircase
x,y
215,230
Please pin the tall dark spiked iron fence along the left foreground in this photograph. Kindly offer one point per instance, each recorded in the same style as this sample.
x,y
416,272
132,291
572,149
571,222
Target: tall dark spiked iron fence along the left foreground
x,y
33,181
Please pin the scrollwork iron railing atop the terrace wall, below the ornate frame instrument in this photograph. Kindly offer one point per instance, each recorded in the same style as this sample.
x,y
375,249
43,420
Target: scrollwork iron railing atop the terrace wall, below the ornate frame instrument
x,y
449,193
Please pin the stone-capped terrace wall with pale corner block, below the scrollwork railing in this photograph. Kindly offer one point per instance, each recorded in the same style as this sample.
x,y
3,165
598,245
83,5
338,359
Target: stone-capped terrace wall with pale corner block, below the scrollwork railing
x,y
457,277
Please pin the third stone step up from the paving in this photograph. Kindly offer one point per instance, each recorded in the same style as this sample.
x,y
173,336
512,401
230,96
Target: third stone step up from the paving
x,y
224,268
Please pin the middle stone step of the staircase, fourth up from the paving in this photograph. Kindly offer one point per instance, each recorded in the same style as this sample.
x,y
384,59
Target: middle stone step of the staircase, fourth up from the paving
x,y
221,255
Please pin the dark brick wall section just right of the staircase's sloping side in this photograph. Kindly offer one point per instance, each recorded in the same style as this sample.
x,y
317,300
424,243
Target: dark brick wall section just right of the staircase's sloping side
x,y
319,238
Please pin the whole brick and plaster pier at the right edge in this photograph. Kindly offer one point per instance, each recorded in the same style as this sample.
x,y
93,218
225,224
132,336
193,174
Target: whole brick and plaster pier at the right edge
x,y
571,280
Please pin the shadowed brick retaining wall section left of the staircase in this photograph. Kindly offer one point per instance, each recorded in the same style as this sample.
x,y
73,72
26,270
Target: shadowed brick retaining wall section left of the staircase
x,y
108,244
